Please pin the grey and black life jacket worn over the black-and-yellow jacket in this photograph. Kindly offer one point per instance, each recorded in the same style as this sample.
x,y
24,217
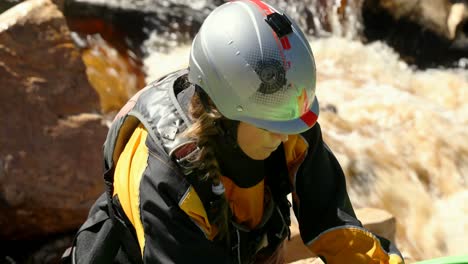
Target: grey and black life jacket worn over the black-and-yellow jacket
x,y
107,233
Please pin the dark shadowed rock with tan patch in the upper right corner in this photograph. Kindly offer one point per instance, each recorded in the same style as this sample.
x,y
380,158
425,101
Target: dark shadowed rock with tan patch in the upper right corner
x,y
425,33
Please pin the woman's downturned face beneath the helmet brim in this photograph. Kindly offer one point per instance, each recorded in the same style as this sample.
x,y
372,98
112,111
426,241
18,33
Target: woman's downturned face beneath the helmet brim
x,y
258,143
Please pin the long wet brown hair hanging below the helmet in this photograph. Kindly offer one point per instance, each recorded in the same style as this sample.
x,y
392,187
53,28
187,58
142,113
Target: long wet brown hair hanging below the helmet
x,y
205,128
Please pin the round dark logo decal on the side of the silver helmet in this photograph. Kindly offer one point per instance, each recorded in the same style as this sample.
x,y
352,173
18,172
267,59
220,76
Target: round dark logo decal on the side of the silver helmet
x,y
272,75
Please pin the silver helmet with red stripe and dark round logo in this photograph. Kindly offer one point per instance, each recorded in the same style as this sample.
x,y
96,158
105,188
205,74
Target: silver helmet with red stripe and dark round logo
x,y
256,65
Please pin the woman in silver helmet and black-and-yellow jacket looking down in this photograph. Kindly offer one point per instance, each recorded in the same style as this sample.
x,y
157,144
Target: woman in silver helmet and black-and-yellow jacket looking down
x,y
198,164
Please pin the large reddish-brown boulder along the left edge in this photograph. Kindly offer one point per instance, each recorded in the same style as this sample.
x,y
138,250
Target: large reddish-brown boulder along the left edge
x,y
51,134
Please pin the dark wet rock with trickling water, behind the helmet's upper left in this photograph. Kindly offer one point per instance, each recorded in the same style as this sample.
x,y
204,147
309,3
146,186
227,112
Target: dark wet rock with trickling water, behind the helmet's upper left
x,y
169,23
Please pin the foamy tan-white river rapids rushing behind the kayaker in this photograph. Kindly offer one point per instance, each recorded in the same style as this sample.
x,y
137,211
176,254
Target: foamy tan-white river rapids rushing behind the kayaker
x,y
401,135
